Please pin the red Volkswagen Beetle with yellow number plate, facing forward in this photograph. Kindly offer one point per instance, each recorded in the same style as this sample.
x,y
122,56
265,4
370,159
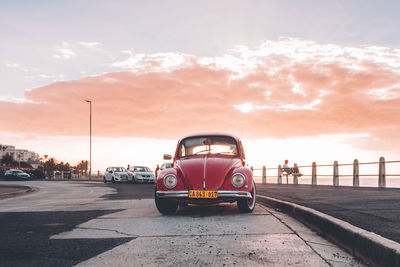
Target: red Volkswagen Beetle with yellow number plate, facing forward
x,y
207,169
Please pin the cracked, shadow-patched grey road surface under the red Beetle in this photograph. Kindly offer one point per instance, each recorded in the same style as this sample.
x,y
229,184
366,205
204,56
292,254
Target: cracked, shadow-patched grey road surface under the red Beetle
x,y
95,224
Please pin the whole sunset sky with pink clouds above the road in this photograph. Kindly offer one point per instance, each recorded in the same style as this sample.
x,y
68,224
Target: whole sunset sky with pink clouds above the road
x,y
303,80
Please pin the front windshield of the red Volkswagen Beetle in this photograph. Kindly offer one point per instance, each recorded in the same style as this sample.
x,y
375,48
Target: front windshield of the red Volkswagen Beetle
x,y
215,145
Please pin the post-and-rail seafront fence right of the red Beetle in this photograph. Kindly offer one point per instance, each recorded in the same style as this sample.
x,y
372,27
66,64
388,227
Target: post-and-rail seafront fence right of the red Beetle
x,y
381,175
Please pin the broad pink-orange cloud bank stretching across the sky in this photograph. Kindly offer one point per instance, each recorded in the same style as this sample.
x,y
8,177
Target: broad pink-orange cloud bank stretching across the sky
x,y
288,97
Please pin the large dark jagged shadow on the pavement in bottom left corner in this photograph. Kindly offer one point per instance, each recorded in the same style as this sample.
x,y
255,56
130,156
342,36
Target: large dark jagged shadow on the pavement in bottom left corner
x,y
25,238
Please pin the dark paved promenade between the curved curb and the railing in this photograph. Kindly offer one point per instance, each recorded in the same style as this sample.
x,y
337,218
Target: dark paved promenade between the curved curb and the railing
x,y
373,209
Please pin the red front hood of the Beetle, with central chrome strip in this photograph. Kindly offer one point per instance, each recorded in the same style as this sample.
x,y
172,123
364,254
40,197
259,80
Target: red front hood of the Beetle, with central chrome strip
x,y
210,170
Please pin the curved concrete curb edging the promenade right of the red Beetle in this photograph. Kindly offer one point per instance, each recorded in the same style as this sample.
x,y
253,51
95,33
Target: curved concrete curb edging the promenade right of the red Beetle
x,y
364,244
